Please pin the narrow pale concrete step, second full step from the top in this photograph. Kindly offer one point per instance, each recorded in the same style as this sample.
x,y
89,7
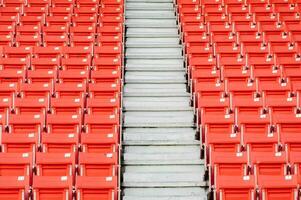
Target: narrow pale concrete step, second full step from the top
x,y
150,14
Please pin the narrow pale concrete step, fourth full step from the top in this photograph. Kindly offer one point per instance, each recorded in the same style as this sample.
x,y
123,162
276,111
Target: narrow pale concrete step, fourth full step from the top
x,y
152,32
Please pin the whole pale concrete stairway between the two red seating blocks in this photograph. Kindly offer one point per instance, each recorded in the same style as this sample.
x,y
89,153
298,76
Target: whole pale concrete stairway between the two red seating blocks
x,y
161,157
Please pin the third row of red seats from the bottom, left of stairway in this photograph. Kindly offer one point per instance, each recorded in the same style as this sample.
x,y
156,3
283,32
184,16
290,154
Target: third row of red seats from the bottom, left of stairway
x,y
104,142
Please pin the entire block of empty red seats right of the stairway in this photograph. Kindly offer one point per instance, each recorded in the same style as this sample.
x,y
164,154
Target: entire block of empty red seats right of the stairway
x,y
244,62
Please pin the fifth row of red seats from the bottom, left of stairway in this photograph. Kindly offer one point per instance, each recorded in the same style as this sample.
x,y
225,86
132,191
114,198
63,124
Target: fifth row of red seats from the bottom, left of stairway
x,y
71,106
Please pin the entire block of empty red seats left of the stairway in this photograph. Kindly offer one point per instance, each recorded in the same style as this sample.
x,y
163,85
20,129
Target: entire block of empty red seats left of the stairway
x,y
60,95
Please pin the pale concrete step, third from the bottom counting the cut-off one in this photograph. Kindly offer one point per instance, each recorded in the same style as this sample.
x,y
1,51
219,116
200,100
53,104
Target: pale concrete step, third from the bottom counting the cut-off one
x,y
162,155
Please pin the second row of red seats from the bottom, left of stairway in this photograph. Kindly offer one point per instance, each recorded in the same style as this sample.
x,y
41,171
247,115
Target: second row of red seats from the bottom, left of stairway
x,y
58,164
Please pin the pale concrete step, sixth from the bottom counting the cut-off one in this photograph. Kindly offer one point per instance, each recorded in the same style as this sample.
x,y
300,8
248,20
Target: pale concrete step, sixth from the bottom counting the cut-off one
x,y
157,103
